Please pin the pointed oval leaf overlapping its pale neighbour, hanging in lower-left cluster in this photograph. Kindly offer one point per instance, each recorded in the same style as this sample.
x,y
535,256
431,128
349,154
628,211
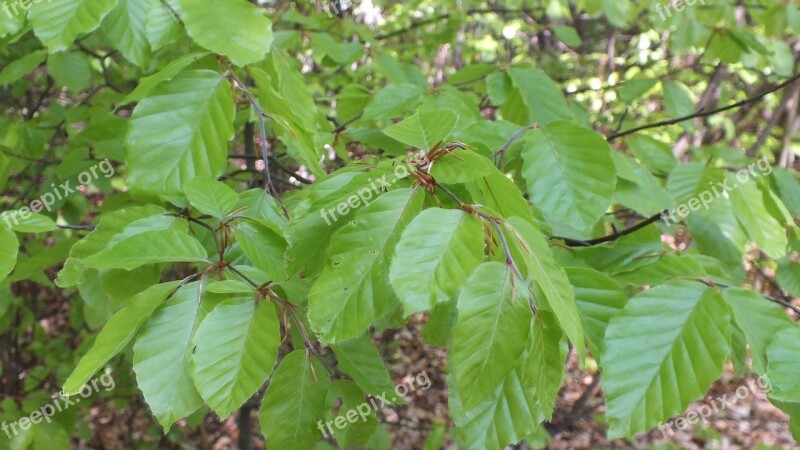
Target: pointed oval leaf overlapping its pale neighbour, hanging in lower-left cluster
x,y
235,349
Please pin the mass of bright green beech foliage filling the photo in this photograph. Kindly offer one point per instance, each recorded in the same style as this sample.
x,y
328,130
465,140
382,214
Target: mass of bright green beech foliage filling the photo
x,y
219,286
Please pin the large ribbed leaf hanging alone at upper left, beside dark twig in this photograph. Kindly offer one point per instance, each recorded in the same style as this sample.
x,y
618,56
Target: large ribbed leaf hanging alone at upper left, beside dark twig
x,y
179,132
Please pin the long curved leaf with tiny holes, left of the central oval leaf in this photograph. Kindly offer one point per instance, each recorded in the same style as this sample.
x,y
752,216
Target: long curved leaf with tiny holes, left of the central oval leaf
x,y
354,289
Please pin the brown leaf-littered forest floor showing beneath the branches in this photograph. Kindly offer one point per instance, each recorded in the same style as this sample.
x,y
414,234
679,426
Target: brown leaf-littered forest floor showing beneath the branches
x,y
748,421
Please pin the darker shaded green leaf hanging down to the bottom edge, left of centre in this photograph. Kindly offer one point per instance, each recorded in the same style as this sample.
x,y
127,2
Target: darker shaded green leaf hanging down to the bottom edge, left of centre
x,y
294,403
